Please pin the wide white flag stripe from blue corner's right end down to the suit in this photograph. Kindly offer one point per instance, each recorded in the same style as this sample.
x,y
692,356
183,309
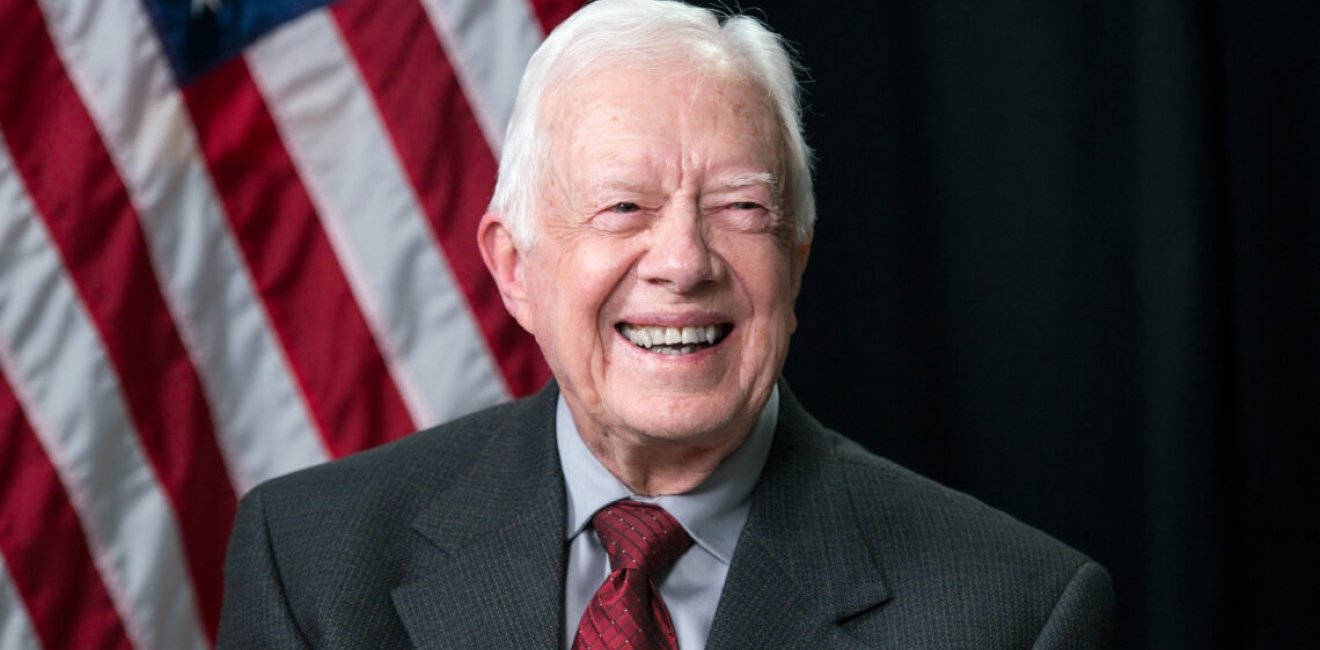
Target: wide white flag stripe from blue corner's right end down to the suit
x,y
374,220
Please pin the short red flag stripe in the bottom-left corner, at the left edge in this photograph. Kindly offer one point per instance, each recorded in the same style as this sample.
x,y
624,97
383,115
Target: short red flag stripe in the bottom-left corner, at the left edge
x,y
44,545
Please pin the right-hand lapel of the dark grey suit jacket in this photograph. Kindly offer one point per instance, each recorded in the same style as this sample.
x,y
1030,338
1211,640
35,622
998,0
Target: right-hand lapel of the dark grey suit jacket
x,y
795,574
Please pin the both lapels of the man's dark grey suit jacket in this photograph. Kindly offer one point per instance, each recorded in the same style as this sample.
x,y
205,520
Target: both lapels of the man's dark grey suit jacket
x,y
492,569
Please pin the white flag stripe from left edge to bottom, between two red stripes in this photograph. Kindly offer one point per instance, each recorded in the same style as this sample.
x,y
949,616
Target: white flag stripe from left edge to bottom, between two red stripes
x,y
53,356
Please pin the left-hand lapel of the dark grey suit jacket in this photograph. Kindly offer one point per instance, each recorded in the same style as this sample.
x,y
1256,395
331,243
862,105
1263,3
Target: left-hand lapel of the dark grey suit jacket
x,y
490,561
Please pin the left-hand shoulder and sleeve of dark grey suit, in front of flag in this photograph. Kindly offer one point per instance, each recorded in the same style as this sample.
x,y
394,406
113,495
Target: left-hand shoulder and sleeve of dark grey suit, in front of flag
x,y
344,534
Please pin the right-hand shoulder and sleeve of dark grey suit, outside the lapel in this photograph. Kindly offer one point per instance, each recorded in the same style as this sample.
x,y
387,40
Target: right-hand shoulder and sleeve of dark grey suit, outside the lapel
x,y
952,557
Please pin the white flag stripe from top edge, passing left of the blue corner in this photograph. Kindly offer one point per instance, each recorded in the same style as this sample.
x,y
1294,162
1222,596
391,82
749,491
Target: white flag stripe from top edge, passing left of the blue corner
x,y
114,59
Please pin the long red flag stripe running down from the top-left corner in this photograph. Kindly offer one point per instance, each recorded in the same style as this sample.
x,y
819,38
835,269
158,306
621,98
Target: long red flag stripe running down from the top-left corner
x,y
79,192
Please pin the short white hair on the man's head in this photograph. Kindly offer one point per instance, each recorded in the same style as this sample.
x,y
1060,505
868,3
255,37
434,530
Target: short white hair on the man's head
x,y
649,32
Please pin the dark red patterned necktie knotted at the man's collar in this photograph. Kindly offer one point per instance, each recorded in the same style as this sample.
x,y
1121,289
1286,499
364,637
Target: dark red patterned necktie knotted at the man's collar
x,y
626,611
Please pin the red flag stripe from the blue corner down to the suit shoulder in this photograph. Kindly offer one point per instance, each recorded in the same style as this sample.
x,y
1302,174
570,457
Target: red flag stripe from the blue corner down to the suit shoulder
x,y
312,307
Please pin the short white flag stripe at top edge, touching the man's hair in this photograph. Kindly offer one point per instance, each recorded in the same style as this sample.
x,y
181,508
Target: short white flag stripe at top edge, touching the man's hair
x,y
489,44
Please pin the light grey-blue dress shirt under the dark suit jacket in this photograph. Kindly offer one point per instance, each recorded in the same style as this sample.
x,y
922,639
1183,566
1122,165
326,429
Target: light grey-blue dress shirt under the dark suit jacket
x,y
713,515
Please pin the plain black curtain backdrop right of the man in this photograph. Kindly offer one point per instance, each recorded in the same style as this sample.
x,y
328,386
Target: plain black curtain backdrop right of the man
x,y
1069,261
